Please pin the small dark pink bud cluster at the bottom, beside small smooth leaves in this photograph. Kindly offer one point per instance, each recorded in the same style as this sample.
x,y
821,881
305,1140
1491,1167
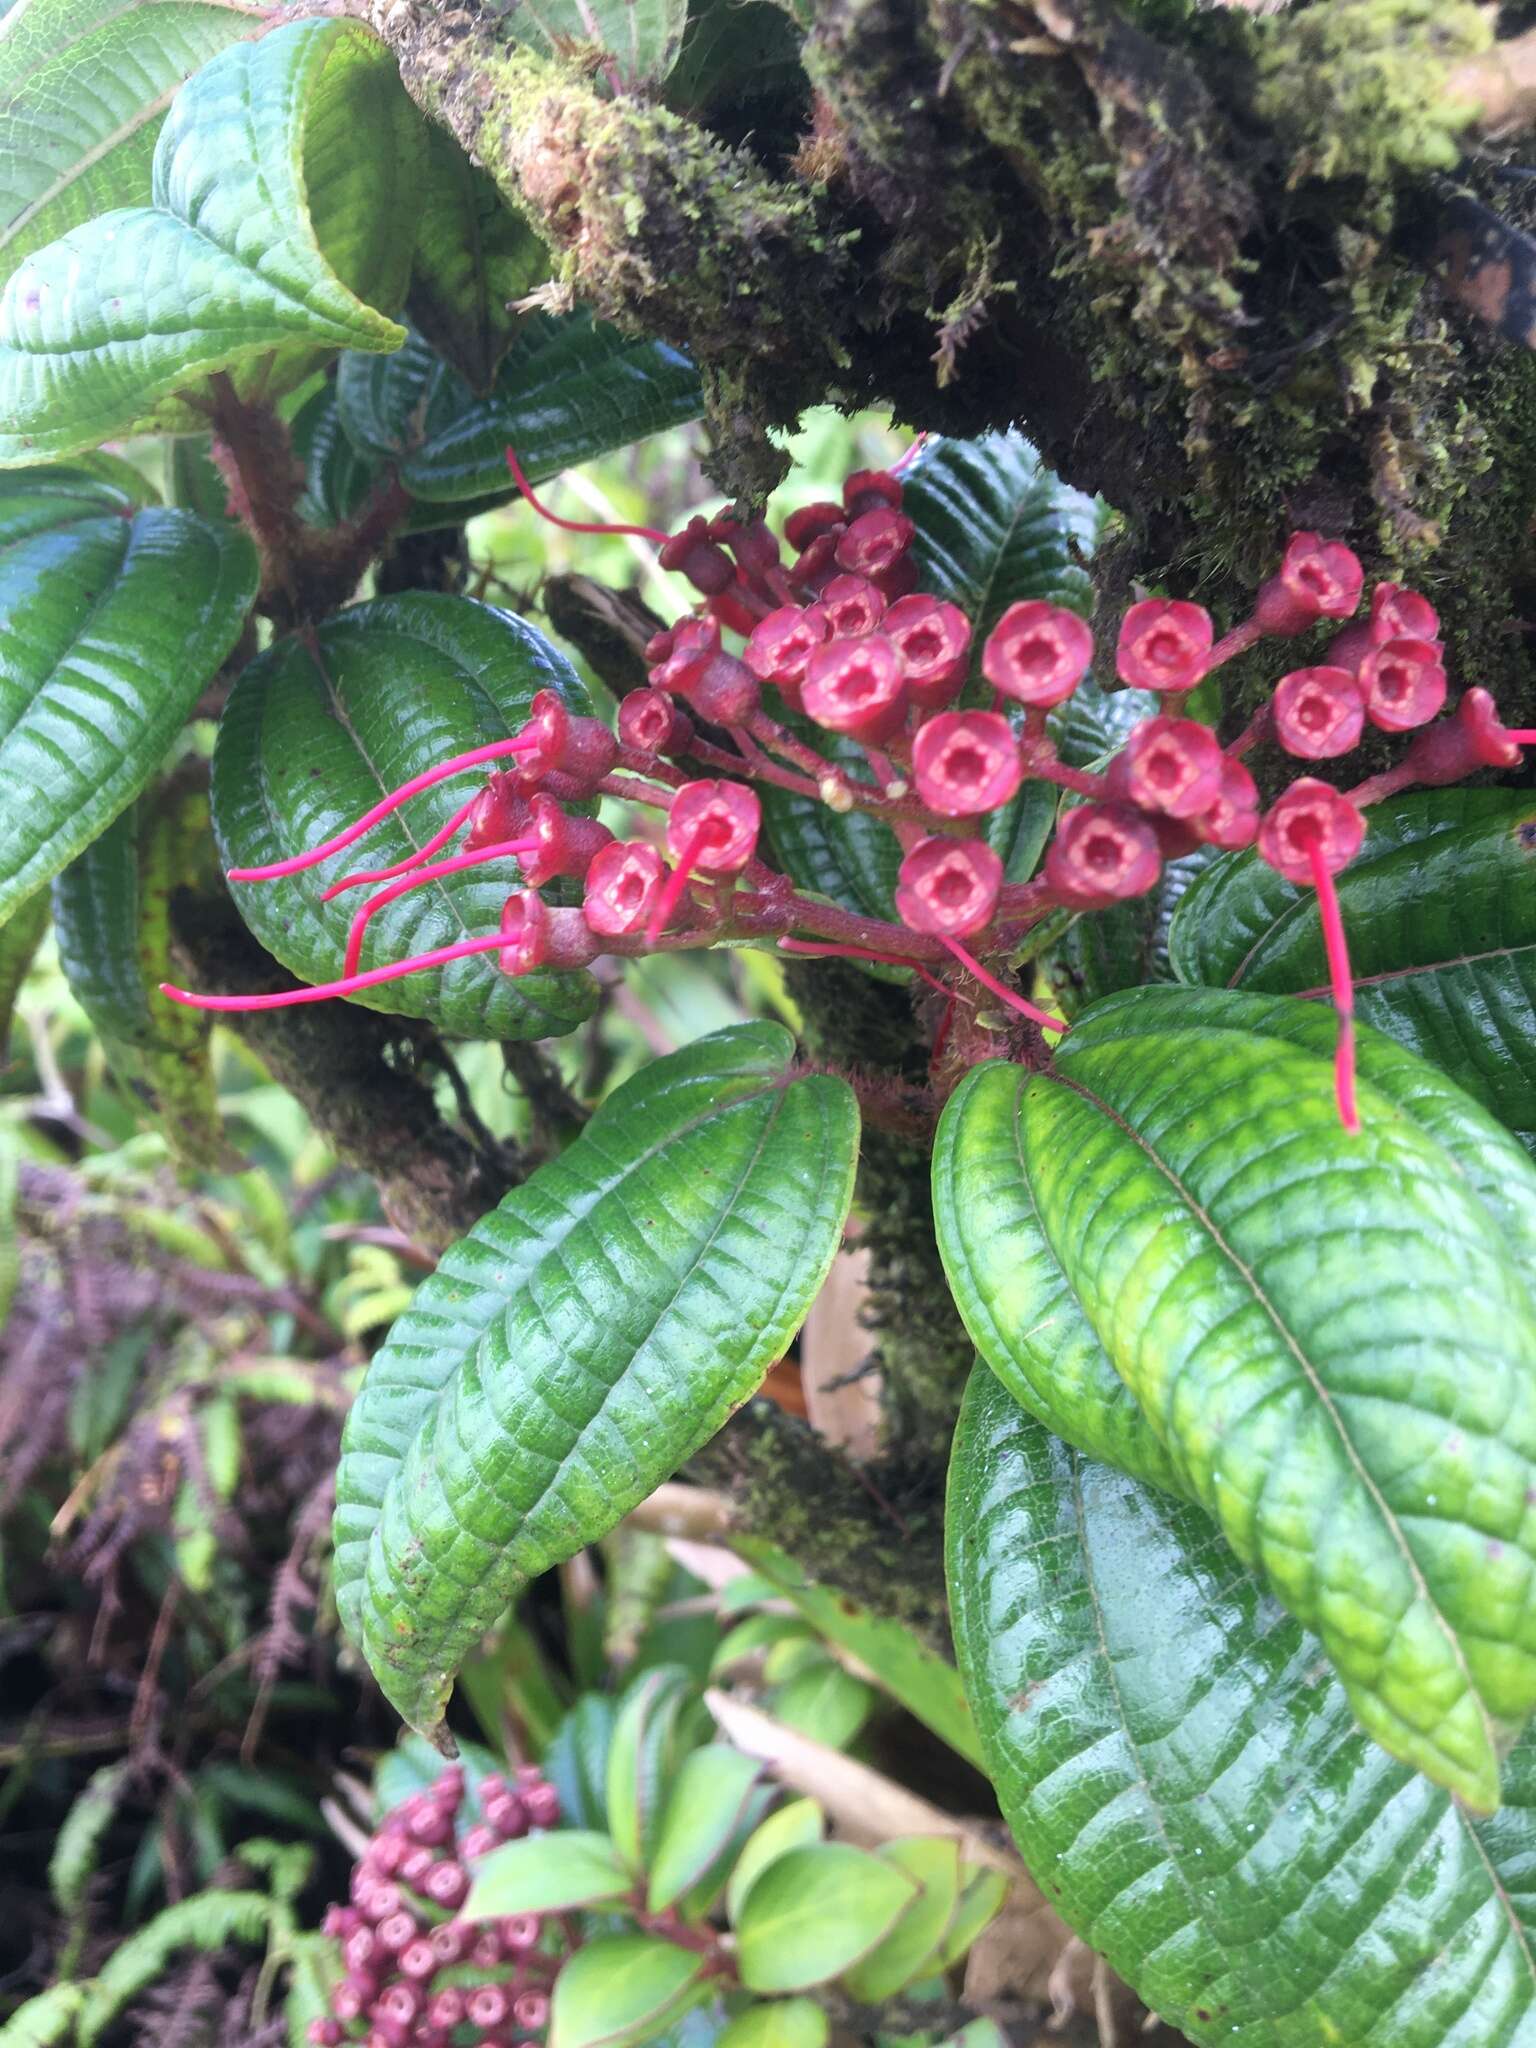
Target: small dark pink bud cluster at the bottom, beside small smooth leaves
x,y
417,1977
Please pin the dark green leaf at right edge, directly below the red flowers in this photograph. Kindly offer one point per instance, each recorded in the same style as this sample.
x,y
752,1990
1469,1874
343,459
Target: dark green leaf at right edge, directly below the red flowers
x,y
1441,914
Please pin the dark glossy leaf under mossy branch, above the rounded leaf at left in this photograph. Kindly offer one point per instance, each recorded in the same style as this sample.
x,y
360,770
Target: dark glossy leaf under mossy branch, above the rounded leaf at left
x,y
568,390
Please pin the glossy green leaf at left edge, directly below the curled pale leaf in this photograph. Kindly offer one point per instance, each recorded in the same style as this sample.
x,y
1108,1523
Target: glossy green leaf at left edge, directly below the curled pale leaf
x,y
116,622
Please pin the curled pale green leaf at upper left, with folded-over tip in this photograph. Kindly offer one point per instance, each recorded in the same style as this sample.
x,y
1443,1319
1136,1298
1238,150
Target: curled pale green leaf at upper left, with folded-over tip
x,y
271,241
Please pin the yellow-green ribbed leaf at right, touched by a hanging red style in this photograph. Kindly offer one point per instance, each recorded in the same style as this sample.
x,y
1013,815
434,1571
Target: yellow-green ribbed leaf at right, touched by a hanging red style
x,y
1334,1338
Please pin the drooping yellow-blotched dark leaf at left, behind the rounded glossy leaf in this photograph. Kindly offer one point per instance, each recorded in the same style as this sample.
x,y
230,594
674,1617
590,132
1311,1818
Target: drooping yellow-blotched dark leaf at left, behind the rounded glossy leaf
x,y
112,912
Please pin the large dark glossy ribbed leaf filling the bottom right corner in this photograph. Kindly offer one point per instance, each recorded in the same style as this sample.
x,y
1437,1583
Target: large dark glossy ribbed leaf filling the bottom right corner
x,y
1185,1779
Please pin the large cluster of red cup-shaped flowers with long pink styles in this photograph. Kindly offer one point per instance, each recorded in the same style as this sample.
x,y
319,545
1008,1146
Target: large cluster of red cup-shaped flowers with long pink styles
x,y
826,630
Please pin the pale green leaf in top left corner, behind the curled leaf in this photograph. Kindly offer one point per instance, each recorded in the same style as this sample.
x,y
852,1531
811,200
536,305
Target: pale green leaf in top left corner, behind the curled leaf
x,y
83,91
